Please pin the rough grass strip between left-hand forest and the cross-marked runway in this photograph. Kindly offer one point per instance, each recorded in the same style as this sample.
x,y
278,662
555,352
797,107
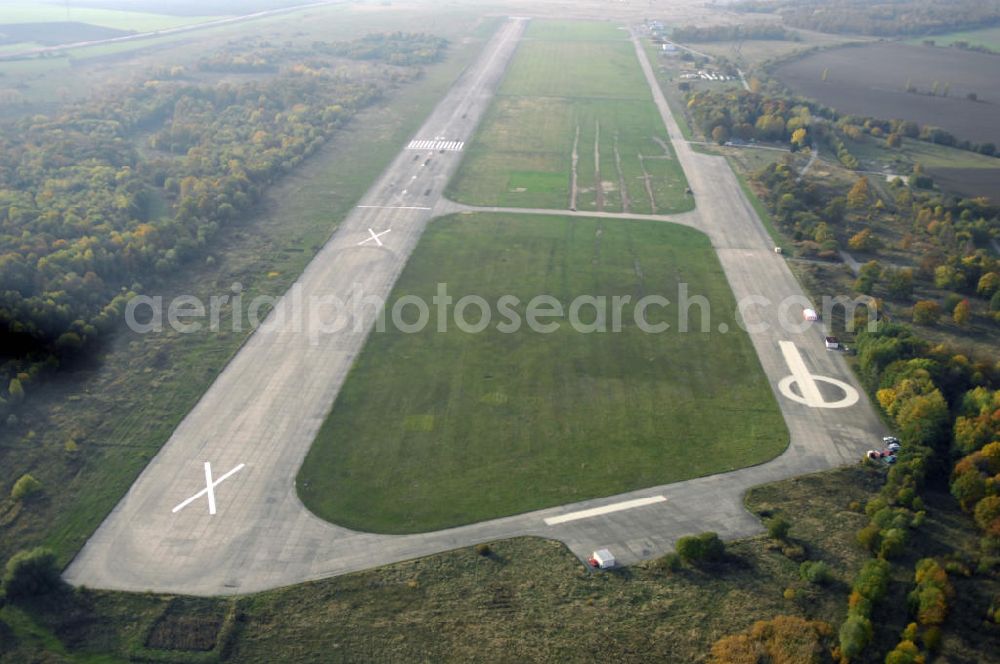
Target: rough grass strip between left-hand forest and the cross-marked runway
x,y
120,408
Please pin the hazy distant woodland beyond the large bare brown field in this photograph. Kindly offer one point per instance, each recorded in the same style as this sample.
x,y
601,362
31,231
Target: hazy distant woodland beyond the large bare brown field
x,y
883,19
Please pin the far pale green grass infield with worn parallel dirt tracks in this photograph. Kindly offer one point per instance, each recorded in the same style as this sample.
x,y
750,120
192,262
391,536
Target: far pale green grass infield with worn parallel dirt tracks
x,y
570,77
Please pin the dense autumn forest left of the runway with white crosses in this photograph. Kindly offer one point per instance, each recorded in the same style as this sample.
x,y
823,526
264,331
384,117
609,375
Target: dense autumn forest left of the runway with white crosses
x,y
100,199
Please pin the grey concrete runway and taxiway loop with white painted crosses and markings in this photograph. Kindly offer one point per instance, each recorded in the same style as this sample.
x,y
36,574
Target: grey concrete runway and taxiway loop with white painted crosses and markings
x,y
259,418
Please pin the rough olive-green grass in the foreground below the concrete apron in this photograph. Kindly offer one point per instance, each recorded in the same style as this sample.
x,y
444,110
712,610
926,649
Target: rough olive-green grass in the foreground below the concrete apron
x,y
530,600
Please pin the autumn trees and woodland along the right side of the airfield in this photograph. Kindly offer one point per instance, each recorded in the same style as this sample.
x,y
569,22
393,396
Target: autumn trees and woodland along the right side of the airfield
x,y
944,405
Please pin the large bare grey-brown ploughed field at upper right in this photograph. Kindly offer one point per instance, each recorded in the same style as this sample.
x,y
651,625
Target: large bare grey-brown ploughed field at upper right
x,y
854,86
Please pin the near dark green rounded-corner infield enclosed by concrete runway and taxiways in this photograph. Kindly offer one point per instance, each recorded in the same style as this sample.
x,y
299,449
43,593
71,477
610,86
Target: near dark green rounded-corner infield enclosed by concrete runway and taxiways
x,y
467,427
